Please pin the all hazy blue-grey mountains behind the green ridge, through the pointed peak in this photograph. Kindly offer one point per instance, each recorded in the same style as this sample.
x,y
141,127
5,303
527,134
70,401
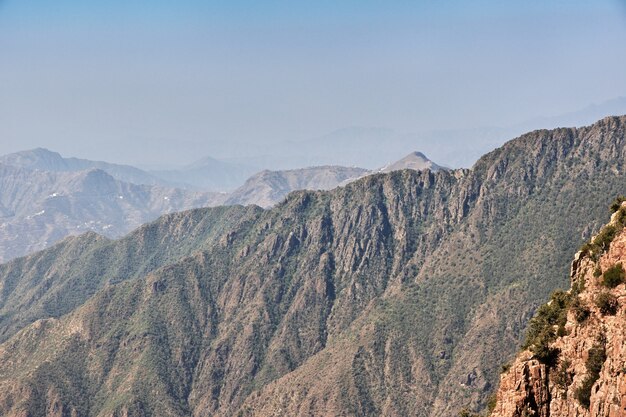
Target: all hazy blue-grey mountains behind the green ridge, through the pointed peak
x,y
46,197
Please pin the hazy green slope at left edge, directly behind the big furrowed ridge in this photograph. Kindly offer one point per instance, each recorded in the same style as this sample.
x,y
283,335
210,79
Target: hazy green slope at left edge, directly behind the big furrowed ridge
x,y
53,282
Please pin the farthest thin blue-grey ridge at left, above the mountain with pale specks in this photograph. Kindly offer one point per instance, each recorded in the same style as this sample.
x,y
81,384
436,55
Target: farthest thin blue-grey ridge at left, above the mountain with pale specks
x,y
46,160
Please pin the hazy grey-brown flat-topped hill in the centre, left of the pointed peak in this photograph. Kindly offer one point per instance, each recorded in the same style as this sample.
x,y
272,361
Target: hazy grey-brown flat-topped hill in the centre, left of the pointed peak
x,y
270,187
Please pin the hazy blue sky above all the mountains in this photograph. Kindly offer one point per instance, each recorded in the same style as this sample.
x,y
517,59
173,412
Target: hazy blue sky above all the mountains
x,y
124,79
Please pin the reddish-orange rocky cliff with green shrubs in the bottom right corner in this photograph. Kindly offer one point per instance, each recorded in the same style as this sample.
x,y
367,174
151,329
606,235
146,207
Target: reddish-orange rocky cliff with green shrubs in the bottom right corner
x,y
582,373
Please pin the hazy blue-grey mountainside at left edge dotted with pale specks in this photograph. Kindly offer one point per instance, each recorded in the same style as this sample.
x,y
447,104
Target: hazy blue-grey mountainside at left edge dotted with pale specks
x,y
41,207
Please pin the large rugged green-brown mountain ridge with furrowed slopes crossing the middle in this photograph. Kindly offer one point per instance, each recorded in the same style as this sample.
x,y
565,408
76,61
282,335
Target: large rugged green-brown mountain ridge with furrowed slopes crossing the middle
x,y
398,294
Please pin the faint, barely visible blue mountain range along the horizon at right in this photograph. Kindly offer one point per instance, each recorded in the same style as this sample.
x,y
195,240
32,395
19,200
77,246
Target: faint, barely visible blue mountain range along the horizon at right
x,y
372,147
